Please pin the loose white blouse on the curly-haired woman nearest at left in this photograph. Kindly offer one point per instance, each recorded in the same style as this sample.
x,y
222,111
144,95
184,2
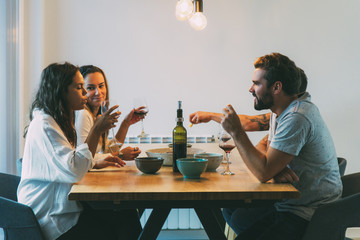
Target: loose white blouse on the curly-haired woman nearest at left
x,y
50,167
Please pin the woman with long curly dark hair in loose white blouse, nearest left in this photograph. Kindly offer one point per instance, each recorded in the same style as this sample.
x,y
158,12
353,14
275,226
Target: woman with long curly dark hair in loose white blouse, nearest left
x,y
52,161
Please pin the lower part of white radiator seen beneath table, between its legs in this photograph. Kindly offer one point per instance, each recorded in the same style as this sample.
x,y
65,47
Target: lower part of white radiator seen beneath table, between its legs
x,y
183,218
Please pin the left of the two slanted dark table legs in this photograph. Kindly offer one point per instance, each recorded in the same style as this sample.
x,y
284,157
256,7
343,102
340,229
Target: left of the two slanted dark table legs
x,y
154,223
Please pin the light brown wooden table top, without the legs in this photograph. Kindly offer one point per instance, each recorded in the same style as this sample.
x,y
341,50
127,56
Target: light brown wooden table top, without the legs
x,y
128,183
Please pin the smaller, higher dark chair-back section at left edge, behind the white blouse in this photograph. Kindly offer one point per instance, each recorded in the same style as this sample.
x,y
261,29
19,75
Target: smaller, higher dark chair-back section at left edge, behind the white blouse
x,y
9,184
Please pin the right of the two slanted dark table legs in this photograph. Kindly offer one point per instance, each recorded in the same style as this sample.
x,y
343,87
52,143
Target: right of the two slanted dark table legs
x,y
211,225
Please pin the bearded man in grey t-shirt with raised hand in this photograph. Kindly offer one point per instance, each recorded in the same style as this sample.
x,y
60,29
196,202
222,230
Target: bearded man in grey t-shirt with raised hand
x,y
298,140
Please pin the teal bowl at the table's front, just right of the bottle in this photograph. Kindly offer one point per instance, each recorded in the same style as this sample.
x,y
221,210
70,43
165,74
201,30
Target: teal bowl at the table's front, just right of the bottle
x,y
191,167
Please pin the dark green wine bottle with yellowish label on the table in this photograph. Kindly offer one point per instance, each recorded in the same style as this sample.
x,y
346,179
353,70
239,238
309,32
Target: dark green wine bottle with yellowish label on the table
x,y
179,139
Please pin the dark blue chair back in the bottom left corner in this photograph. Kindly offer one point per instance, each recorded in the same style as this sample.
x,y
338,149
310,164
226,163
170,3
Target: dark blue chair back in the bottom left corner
x,y
18,221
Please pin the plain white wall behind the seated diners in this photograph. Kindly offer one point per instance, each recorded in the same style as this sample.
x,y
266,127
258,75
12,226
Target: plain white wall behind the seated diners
x,y
144,50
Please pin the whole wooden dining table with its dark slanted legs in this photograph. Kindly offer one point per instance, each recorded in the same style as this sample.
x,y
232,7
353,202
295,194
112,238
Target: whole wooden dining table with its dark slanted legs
x,y
127,187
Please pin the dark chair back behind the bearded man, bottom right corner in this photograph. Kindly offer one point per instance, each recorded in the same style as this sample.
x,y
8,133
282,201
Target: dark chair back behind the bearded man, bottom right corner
x,y
330,221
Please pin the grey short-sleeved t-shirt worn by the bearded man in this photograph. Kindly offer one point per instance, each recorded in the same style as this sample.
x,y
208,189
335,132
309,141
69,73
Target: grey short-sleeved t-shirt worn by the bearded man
x,y
301,132
